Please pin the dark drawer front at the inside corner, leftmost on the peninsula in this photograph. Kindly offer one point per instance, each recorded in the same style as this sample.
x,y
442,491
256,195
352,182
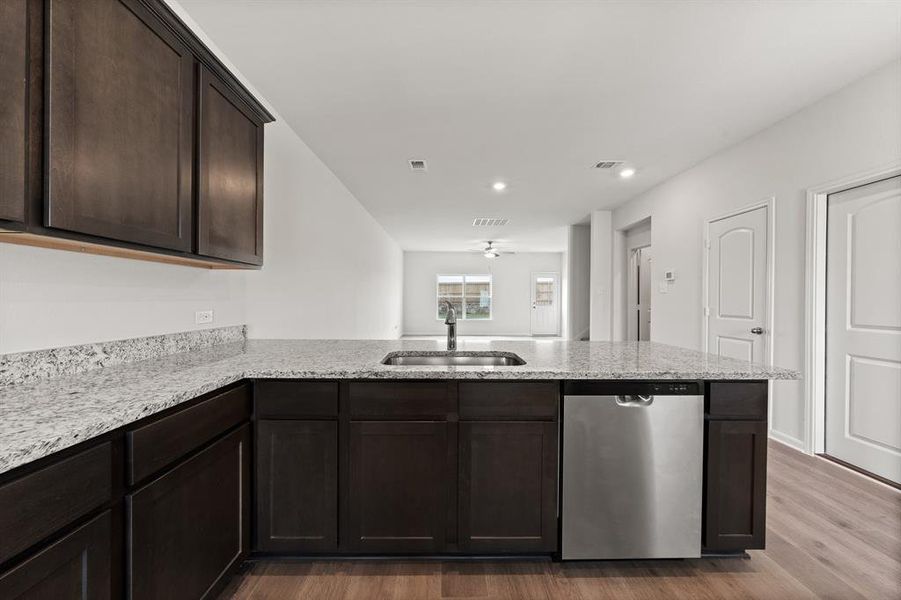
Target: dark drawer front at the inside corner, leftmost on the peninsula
x,y
296,399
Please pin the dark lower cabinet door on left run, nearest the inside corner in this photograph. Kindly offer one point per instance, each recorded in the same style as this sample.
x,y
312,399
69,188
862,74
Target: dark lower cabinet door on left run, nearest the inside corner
x,y
189,527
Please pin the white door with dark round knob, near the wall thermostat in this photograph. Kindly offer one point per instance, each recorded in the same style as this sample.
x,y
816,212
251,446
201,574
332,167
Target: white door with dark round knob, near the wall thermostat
x,y
737,286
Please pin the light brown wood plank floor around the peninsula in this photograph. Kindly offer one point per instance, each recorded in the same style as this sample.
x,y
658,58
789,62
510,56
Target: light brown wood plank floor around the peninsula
x,y
830,534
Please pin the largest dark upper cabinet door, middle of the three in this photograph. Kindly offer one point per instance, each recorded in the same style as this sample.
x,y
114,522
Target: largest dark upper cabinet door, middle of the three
x,y
120,124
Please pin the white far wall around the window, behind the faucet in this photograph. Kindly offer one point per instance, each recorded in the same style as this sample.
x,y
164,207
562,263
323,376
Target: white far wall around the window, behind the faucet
x,y
510,294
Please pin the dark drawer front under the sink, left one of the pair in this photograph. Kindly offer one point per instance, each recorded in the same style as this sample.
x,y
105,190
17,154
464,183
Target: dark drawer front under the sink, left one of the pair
x,y
431,401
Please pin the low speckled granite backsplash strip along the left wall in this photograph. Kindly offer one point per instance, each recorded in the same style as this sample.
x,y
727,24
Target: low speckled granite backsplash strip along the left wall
x,y
41,364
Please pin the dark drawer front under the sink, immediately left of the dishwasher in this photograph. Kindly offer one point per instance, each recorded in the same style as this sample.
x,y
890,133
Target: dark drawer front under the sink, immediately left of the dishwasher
x,y
507,400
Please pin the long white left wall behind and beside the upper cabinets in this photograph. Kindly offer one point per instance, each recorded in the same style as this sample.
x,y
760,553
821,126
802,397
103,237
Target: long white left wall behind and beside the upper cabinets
x,y
330,271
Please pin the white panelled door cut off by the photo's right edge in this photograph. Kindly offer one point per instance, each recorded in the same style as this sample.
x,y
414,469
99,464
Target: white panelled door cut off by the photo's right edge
x,y
863,327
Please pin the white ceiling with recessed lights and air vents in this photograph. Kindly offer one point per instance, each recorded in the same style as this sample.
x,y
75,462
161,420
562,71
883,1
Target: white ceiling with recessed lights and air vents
x,y
534,93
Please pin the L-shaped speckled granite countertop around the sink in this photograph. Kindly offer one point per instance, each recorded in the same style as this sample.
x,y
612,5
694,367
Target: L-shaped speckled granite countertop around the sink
x,y
42,417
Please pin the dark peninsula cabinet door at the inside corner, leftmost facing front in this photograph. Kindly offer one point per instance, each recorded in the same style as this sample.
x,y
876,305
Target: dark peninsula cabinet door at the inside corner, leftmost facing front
x,y
297,486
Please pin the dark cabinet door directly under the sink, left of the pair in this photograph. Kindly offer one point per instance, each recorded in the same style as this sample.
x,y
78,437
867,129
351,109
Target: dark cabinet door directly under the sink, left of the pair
x,y
398,487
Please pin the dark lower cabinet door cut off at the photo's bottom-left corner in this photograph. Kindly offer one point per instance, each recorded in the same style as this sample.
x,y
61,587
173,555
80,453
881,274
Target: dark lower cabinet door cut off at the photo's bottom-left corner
x,y
75,567
